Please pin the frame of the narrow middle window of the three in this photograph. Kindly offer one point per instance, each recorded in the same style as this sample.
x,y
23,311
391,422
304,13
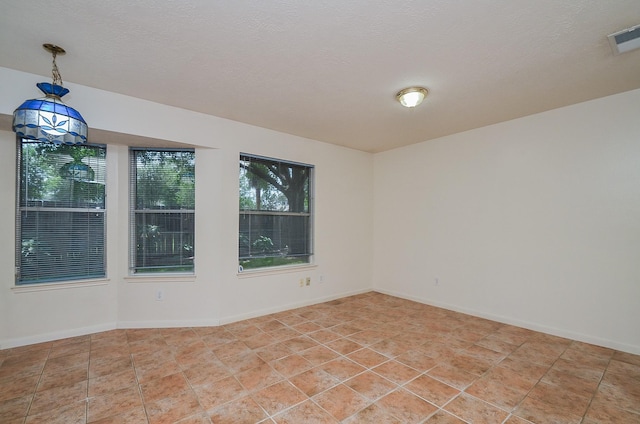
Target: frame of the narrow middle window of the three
x,y
134,269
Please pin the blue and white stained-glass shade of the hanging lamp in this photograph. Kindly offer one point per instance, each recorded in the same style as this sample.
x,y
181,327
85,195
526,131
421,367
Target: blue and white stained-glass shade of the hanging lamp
x,y
49,119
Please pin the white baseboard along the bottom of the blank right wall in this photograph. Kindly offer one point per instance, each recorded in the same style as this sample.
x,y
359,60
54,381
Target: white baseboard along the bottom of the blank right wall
x,y
612,344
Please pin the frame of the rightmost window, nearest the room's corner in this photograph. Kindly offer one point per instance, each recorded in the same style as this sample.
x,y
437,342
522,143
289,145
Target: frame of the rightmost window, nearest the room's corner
x,y
309,214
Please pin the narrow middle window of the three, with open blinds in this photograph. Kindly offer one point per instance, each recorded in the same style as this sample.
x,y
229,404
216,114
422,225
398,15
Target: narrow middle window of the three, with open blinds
x,y
162,208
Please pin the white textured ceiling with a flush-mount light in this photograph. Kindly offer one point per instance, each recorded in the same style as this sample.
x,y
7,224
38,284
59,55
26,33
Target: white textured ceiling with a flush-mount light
x,y
329,69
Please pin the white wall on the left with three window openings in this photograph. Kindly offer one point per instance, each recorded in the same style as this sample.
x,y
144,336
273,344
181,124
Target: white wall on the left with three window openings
x,y
217,294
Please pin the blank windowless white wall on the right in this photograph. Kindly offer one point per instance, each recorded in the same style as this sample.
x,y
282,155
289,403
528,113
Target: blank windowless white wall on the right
x,y
534,221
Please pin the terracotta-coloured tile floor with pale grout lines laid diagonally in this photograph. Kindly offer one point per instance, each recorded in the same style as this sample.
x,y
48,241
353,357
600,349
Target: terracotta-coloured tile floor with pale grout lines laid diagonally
x,y
370,358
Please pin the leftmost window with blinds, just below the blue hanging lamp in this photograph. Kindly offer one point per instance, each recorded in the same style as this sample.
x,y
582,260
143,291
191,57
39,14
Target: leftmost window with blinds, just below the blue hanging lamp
x,y
60,222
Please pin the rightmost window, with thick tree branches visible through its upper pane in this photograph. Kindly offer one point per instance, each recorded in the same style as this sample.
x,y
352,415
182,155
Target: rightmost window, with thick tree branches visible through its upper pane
x,y
275,213
